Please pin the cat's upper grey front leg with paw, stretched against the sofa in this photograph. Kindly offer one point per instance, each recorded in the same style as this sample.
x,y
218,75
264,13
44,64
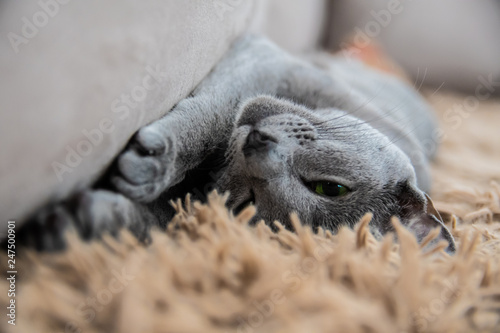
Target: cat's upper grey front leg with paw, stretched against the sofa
x,y
161,153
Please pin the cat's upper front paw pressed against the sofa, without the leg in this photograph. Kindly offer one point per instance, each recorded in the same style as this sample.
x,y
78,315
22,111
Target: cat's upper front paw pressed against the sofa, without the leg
x,y
147,167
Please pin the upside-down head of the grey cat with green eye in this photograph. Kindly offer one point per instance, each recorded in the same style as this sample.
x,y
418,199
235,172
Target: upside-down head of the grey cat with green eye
x,y
327,166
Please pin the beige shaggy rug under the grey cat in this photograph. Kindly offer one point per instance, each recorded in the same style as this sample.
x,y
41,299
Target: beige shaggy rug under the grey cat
x,y
212,273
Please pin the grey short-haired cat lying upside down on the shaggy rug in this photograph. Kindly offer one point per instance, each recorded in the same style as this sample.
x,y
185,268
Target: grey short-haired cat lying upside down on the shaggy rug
x,y
321,136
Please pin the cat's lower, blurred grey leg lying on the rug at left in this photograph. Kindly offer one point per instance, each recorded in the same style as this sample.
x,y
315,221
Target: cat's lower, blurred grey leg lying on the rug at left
x,y
90,214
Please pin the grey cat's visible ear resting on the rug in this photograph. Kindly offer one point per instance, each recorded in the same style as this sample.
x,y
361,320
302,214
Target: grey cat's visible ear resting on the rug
x,y
417,213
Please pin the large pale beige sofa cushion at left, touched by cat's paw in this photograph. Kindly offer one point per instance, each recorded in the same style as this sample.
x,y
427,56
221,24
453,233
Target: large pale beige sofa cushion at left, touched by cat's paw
x,y
80,77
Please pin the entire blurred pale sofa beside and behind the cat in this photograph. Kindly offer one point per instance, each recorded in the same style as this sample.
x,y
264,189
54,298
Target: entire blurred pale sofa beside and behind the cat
x,y
78,78
